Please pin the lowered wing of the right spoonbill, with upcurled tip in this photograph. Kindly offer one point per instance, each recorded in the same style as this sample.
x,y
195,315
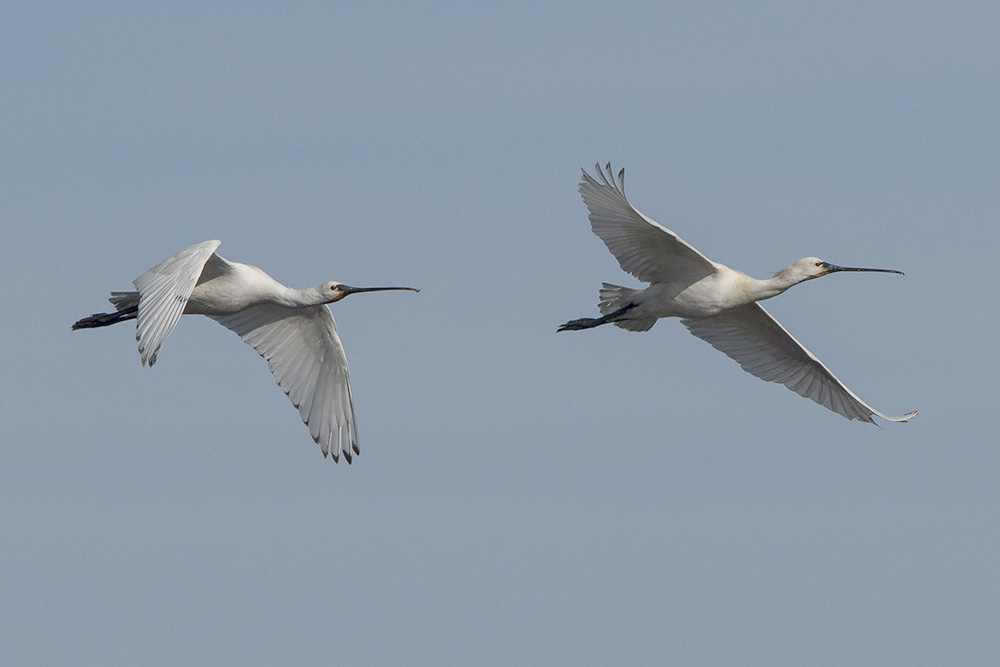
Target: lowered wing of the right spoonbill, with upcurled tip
x,y
764,348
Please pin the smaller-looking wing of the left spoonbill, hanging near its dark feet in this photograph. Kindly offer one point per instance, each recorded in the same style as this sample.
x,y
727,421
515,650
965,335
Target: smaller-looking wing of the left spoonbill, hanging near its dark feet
x,y
163,293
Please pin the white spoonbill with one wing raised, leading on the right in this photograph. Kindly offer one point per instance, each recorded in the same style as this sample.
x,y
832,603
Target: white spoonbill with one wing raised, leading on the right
x,y
716,303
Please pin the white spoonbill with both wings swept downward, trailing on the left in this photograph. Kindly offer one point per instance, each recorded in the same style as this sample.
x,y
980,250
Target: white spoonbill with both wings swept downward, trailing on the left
x,y
292,329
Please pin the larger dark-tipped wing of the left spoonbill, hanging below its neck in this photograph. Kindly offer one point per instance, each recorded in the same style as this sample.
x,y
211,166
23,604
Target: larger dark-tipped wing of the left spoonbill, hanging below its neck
x,y
305,355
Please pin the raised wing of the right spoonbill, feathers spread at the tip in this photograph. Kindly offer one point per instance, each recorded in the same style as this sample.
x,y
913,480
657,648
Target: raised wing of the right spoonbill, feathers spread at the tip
x,y
644,248
